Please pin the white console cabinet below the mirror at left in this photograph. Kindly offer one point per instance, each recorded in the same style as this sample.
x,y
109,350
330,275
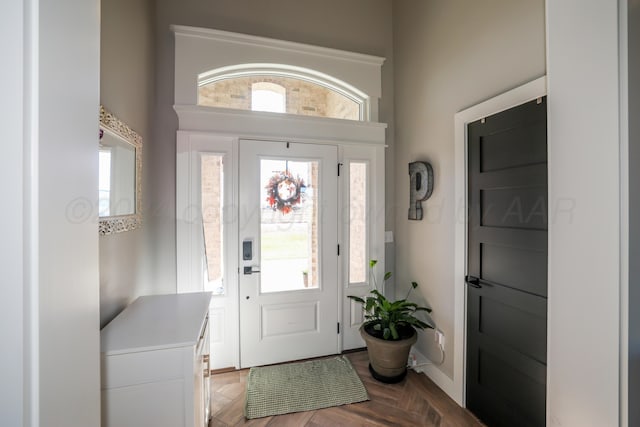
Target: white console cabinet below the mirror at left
x,y
155,363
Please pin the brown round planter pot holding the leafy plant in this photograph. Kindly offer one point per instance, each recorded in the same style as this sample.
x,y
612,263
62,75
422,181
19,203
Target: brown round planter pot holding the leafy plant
x,y
388,359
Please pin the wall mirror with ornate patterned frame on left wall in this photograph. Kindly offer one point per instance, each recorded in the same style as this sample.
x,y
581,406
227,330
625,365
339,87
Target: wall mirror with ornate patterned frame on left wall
x,y
120,176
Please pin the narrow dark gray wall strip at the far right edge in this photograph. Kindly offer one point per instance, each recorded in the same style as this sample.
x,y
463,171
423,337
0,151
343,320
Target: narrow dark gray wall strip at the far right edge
x,y
634,211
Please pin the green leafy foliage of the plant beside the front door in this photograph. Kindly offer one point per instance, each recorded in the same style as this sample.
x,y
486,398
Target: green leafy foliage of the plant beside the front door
x,y
392,320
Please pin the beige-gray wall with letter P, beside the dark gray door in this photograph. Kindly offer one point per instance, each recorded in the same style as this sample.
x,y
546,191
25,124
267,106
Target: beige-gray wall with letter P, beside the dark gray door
x,y
449,55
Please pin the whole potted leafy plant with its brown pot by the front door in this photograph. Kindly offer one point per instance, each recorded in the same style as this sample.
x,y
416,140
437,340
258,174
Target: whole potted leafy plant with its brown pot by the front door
x,y
390,328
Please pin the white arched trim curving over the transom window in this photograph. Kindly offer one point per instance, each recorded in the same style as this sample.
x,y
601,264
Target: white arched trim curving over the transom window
x,y
291,71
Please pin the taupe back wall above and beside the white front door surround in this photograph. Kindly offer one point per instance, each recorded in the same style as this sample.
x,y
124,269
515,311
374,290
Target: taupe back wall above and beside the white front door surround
x,y
356,25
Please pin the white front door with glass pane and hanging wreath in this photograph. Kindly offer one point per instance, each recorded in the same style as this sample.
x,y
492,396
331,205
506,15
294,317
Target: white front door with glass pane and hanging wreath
x,y
288,229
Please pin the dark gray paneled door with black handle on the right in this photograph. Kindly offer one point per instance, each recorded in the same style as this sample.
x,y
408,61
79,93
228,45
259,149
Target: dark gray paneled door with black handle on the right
x,y
507,267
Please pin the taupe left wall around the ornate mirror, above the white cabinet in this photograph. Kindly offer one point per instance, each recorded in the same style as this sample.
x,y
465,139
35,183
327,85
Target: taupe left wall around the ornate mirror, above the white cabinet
x,y
126,90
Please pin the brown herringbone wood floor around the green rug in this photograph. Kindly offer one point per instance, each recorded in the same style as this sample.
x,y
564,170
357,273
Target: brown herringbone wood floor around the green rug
x,y
416,401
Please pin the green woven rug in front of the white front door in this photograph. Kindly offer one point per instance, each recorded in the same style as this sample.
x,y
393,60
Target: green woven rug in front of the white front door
x,y
304,386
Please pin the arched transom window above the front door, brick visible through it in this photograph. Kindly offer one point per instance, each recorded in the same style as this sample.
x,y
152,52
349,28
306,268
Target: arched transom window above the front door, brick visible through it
x,y
280,92
